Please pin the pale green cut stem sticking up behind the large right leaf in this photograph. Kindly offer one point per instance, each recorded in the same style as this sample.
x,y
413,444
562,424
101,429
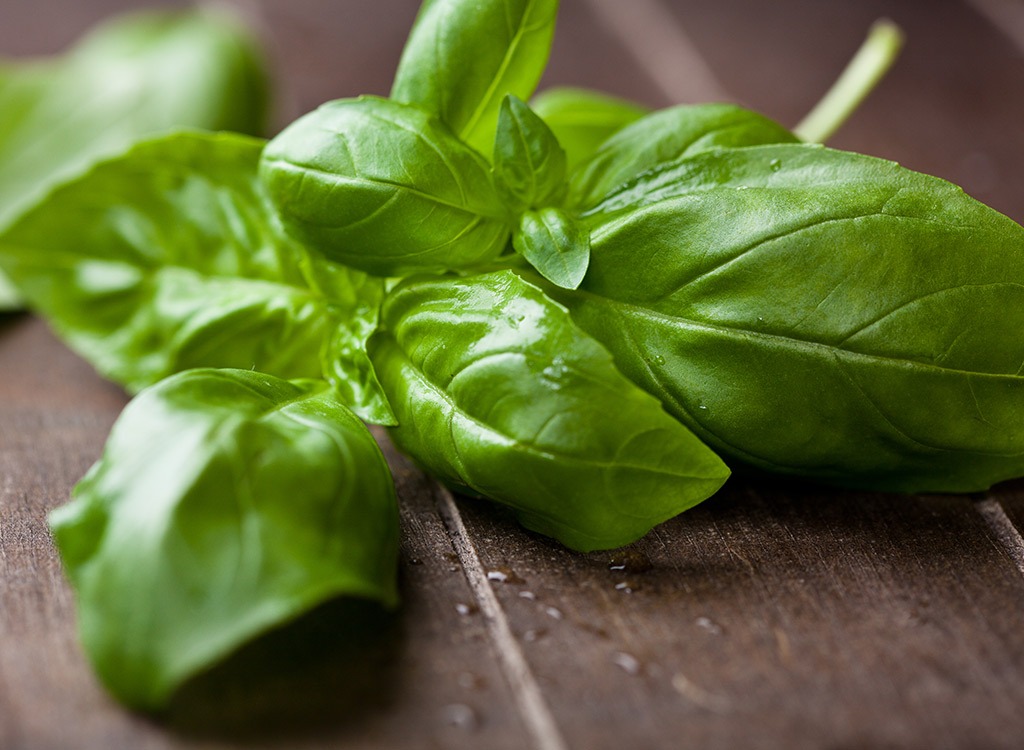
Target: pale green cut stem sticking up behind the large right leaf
x,y
863,74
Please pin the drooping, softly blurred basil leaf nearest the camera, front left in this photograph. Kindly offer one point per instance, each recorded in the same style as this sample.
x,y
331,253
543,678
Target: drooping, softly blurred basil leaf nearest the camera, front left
x,y
188,538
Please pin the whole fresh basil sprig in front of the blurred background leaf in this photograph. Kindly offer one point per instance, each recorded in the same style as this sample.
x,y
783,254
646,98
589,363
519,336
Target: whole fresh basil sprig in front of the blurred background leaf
x,y
575,308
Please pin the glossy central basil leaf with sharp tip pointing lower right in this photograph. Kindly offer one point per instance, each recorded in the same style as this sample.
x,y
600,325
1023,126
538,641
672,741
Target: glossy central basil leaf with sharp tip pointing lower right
x,y
497,391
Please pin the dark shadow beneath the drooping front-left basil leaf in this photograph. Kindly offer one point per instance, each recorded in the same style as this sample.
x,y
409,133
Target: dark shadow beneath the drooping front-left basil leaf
x,y
323,674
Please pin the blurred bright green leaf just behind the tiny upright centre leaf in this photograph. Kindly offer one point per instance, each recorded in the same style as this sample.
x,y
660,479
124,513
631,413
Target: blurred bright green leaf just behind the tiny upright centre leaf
x,y
582,120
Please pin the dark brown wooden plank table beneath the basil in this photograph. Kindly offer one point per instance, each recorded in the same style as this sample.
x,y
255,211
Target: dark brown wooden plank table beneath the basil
x,y
777,615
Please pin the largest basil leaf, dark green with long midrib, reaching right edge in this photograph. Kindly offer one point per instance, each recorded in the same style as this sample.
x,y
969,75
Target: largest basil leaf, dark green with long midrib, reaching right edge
x,y
820,313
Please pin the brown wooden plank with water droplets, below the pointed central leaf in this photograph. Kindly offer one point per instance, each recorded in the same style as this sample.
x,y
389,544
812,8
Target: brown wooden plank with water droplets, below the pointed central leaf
x,y
821,619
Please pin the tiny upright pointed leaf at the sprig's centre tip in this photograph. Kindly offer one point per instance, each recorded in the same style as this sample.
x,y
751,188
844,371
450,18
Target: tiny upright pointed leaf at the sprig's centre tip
x,y
530,165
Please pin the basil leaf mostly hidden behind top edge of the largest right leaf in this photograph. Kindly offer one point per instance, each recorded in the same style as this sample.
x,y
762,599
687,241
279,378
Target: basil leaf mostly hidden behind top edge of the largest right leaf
x,y
666,137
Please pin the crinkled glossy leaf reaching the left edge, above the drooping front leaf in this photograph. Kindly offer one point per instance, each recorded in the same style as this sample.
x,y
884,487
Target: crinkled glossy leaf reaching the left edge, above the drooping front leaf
x,y
170,258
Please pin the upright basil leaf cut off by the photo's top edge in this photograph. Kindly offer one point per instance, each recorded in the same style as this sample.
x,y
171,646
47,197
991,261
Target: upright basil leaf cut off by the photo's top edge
x,y
463,57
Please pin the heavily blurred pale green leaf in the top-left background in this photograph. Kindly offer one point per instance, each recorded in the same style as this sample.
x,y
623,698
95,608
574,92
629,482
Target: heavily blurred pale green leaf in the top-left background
x,y
133,77
